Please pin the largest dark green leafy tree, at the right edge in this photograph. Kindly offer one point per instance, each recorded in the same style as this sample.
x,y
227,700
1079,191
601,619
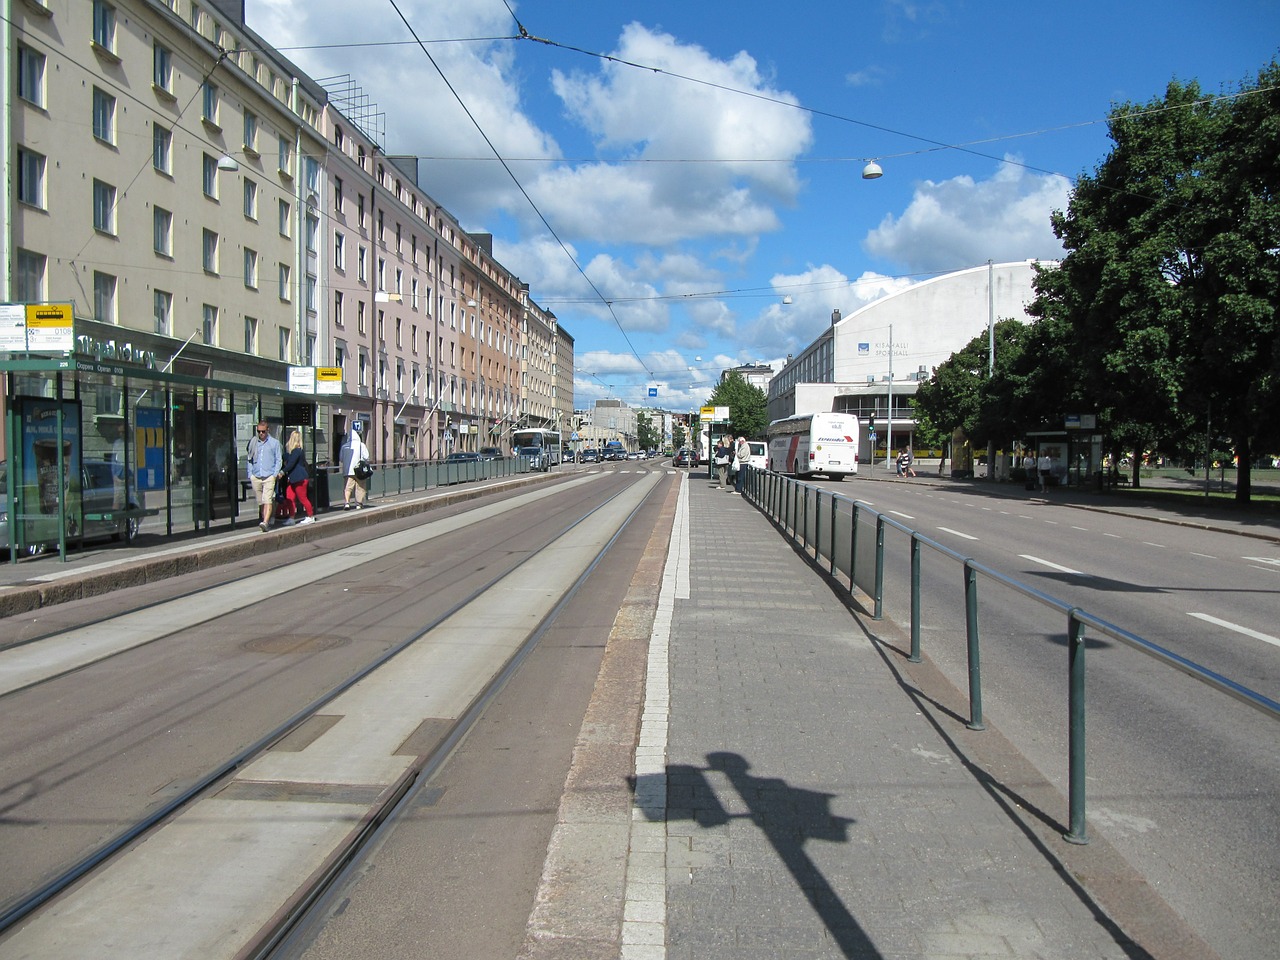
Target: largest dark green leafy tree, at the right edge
x,y
1163,316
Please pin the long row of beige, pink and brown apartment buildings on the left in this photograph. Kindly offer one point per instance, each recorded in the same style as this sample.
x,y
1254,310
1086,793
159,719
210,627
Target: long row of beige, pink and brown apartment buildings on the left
x,y
230,244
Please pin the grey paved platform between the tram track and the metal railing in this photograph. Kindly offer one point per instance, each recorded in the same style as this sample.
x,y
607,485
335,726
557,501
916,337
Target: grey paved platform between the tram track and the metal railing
x,y
826,799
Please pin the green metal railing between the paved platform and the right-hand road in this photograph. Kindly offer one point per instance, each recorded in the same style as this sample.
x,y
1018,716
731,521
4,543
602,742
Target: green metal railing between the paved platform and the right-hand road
x,y
826,525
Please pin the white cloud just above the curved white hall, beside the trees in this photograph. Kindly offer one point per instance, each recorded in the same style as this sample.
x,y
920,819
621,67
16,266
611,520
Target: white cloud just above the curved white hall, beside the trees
x,y
961,222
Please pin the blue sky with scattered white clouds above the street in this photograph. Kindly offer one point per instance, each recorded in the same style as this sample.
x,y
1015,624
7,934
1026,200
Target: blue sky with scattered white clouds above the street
x,y
682,182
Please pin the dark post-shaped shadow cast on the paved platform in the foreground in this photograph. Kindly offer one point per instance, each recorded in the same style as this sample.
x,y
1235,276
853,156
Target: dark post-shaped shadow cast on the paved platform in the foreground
x,y
788,816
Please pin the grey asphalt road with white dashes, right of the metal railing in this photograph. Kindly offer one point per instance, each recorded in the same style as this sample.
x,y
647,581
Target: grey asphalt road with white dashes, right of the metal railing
x,y
1183,780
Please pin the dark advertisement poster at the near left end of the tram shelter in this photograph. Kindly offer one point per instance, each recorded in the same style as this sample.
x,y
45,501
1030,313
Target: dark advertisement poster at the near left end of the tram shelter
x,y
40,496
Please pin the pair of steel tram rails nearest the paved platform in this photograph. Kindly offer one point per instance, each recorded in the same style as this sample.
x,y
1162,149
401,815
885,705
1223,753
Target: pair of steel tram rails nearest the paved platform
x,y
413,780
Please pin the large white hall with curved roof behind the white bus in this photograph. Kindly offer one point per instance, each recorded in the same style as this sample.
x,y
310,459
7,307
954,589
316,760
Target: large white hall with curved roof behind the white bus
x,y
872,362
